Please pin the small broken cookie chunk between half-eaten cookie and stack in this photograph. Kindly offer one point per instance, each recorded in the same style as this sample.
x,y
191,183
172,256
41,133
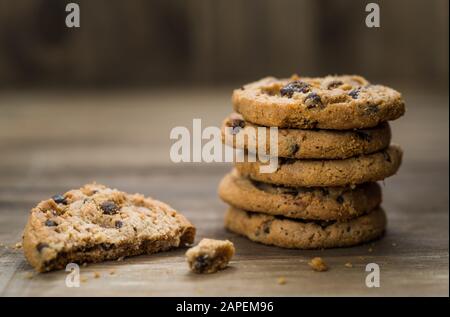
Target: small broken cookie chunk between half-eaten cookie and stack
x,y
210,255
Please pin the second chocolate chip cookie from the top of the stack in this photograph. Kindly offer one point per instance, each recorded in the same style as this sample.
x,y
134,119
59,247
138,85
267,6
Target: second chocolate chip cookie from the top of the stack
x,y
308,144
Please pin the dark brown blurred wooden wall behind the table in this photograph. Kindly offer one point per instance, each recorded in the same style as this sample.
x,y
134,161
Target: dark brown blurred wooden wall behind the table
x,y
140,43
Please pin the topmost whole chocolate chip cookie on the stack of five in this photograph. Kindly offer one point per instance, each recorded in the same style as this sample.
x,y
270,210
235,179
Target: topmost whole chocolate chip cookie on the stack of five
x,y
332,102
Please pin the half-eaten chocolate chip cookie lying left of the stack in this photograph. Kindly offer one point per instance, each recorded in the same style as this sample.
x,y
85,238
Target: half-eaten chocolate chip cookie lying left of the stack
x,y
96,223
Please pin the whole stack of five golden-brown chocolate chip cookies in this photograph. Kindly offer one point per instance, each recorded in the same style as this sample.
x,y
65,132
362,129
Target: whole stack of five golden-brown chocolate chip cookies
x,y
333,146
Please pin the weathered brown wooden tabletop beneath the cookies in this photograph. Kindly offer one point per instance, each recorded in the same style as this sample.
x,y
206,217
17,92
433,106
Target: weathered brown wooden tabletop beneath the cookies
x,y
52,143
